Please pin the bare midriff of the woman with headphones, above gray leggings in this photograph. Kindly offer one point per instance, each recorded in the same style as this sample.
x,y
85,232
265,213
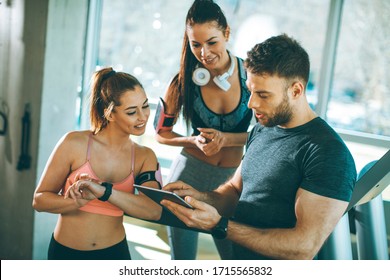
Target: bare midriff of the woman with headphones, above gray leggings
x,y
226,157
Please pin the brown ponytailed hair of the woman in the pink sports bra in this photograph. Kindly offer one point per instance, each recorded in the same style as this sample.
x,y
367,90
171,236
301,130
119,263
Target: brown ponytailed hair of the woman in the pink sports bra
x,y
107,87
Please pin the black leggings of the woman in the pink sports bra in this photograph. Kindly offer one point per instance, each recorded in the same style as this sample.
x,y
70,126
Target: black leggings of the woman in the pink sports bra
x,y
118,251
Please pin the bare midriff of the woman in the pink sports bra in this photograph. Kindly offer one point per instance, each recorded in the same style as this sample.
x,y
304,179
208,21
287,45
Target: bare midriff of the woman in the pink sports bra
x,y
86,231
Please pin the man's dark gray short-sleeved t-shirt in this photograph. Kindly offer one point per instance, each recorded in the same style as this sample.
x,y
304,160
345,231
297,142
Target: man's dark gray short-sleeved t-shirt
x,y
279,161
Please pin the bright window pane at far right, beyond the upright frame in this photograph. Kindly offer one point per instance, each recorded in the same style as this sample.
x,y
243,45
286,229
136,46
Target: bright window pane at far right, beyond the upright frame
x,y
360,95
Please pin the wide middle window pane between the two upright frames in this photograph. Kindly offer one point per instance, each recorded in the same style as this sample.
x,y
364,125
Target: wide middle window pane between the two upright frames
x,y
144,38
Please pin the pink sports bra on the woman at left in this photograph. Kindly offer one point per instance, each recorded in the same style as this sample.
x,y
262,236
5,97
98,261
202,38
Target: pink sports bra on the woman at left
x,y
96,206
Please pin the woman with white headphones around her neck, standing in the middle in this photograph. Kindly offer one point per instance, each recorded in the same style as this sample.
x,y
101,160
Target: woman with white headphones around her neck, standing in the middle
x,y
210,92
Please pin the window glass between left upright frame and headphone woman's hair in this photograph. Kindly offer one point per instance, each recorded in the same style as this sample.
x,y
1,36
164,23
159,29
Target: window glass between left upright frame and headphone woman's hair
x,y
143,38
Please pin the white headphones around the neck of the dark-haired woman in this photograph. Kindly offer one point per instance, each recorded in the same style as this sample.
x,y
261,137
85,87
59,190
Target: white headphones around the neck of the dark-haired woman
x,y
201,76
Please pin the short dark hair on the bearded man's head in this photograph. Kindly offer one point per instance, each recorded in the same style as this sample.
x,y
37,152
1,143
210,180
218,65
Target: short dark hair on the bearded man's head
x,y
280,55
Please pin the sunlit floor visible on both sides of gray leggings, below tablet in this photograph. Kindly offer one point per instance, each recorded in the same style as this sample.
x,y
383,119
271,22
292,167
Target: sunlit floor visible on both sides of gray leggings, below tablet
x,y
149,241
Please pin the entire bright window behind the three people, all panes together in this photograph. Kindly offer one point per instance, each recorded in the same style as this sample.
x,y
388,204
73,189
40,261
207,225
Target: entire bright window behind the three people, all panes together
x,y
144,38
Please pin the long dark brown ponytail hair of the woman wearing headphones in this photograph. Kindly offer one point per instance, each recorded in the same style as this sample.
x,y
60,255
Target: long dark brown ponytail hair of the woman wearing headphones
x,y
182,86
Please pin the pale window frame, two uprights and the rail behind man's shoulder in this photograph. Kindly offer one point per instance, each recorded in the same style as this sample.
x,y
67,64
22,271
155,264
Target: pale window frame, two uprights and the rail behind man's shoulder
x,y
325,80
